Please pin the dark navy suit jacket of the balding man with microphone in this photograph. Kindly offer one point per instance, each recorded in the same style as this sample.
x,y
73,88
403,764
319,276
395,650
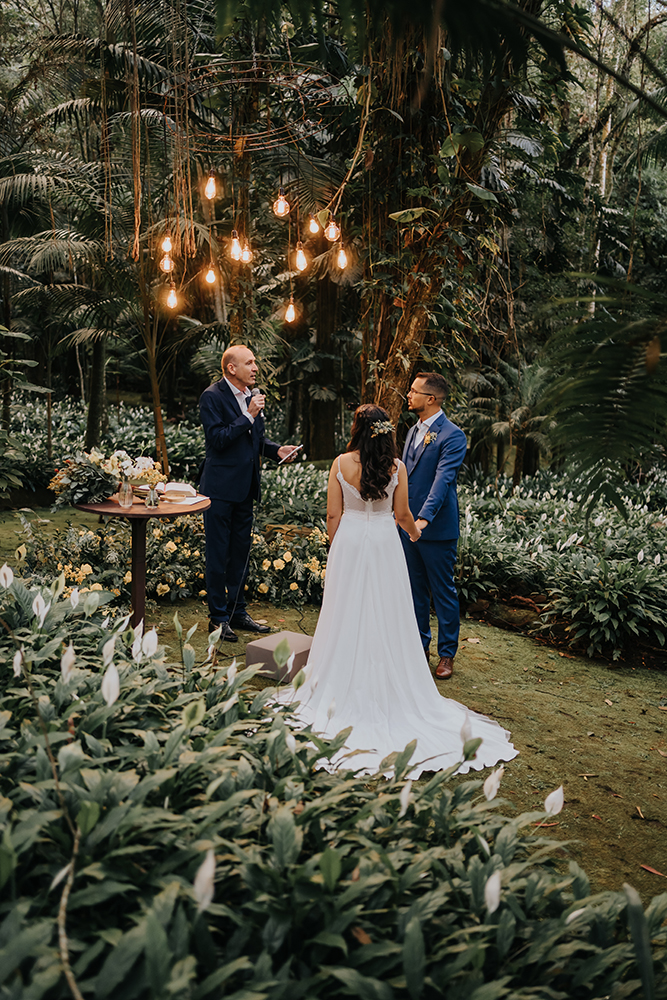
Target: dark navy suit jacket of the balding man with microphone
x,y
233,446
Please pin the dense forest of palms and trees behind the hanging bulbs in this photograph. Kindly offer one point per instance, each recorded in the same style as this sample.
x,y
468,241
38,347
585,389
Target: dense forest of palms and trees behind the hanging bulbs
x,y
494,174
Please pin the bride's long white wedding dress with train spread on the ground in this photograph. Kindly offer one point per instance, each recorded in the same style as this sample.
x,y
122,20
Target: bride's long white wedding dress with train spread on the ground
x,y
367,668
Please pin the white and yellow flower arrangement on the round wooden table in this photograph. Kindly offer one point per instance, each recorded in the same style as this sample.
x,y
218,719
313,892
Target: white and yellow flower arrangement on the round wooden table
x,y
89,477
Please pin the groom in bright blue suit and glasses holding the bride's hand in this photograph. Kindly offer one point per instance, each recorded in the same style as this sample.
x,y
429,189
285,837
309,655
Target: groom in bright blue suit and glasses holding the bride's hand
x,y
433,453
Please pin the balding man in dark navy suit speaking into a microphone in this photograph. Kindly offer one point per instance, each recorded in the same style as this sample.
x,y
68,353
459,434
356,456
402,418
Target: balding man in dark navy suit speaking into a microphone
x,y
233,421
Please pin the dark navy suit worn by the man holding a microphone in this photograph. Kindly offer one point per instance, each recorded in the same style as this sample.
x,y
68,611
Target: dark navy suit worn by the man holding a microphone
x,y
230,477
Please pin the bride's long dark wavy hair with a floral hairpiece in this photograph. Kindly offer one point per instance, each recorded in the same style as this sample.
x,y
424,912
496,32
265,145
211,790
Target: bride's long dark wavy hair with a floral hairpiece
x,y
374,438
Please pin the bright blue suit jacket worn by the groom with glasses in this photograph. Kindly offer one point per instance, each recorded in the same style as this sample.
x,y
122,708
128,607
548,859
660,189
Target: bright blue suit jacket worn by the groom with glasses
x,y
432,479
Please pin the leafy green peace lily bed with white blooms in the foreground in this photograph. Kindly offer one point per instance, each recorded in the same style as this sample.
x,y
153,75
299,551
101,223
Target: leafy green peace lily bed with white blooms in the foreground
x,y
166,833
